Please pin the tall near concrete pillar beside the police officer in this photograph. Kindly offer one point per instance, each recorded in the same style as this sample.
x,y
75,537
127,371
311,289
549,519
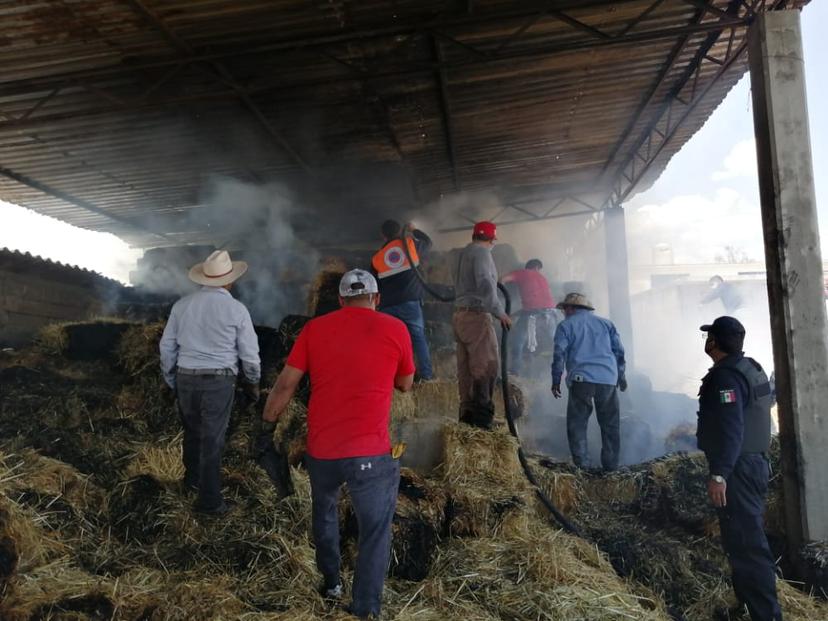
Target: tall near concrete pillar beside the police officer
x,y
794,265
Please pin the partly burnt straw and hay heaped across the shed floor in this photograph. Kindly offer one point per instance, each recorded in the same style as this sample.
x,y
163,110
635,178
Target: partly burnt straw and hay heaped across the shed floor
x,y
101,528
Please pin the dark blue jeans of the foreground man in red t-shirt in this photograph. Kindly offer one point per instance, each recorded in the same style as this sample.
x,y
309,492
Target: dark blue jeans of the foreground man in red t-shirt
x,y
373,484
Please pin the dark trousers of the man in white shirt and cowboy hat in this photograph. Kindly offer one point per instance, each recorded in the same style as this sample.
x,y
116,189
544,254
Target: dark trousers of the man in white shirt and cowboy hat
x,y
204,403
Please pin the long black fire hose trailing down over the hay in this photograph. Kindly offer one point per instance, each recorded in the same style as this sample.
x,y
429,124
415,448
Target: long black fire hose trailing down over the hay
x,y
559,517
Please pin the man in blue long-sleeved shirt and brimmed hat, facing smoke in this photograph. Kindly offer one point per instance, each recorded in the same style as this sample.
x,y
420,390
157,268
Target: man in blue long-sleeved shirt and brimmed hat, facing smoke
x,y
591,349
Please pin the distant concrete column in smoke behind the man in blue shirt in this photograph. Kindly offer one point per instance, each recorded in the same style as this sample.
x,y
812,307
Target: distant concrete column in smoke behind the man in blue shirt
x,y
618,278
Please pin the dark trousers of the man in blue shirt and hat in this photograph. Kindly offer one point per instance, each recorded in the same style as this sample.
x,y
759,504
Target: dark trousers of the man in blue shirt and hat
x,y
578,410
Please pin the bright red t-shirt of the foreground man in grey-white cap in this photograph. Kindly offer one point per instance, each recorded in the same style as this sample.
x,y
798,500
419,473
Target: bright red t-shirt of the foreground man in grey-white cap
x,y
352,356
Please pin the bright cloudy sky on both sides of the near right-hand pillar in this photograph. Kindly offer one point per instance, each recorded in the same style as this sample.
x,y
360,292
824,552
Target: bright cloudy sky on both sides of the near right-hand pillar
x,y
708,197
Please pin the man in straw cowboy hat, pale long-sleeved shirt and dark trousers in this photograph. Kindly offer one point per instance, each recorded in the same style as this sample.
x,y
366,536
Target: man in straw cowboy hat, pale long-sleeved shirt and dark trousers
x,y
206,336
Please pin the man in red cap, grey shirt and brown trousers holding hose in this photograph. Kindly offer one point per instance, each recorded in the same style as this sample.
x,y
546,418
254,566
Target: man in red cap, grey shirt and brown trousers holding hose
x,y
475,303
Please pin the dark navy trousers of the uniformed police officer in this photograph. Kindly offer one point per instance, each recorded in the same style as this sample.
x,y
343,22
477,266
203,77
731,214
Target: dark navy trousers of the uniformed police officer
x,y
744,541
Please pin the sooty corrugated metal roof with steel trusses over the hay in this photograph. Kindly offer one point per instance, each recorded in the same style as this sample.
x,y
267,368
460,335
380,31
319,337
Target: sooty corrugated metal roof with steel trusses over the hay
x,y
114,114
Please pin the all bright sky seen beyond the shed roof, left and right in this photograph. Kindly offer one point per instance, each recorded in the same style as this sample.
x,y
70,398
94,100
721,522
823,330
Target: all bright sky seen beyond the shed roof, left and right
x,y
706,199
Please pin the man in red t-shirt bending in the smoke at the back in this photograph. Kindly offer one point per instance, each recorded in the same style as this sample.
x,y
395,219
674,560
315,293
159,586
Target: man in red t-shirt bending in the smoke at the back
x,y
537,312
